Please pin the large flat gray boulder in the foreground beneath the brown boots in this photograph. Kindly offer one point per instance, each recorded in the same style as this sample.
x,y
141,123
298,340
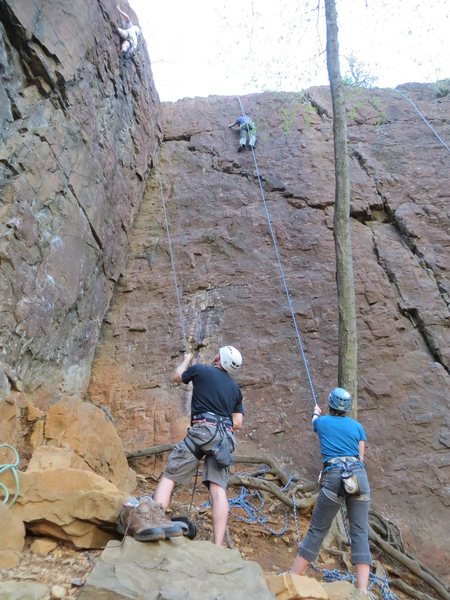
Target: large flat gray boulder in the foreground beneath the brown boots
x,y
174,570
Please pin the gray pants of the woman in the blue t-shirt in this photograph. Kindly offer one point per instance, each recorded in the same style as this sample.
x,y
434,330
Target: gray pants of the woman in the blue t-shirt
x,y
330,499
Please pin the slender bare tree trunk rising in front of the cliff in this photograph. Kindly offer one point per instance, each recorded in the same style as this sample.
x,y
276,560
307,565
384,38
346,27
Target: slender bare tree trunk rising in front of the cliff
x,y
347,352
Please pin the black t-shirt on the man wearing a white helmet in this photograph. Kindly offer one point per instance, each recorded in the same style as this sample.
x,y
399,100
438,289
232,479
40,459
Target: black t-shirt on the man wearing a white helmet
x,y
214,391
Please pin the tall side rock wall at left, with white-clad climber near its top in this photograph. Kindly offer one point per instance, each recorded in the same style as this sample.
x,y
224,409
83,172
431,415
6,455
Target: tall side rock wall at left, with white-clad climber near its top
x,y
78,132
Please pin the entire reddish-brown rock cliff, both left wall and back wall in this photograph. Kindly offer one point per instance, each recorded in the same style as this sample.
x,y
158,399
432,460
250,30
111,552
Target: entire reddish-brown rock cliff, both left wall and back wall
x,y
79,143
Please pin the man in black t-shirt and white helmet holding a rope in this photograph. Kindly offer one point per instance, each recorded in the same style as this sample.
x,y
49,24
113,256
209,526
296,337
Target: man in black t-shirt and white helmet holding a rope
x,y
216,406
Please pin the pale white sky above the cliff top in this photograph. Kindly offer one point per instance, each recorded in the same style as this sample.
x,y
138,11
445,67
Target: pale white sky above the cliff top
x,y
237,47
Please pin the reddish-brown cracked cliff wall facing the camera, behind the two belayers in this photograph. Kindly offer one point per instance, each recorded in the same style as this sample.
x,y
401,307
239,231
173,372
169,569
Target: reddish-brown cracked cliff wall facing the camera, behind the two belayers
x,y
231,290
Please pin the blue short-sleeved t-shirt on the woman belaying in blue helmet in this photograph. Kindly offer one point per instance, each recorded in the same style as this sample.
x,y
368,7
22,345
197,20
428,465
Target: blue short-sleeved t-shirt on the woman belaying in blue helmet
x,y
338,436
